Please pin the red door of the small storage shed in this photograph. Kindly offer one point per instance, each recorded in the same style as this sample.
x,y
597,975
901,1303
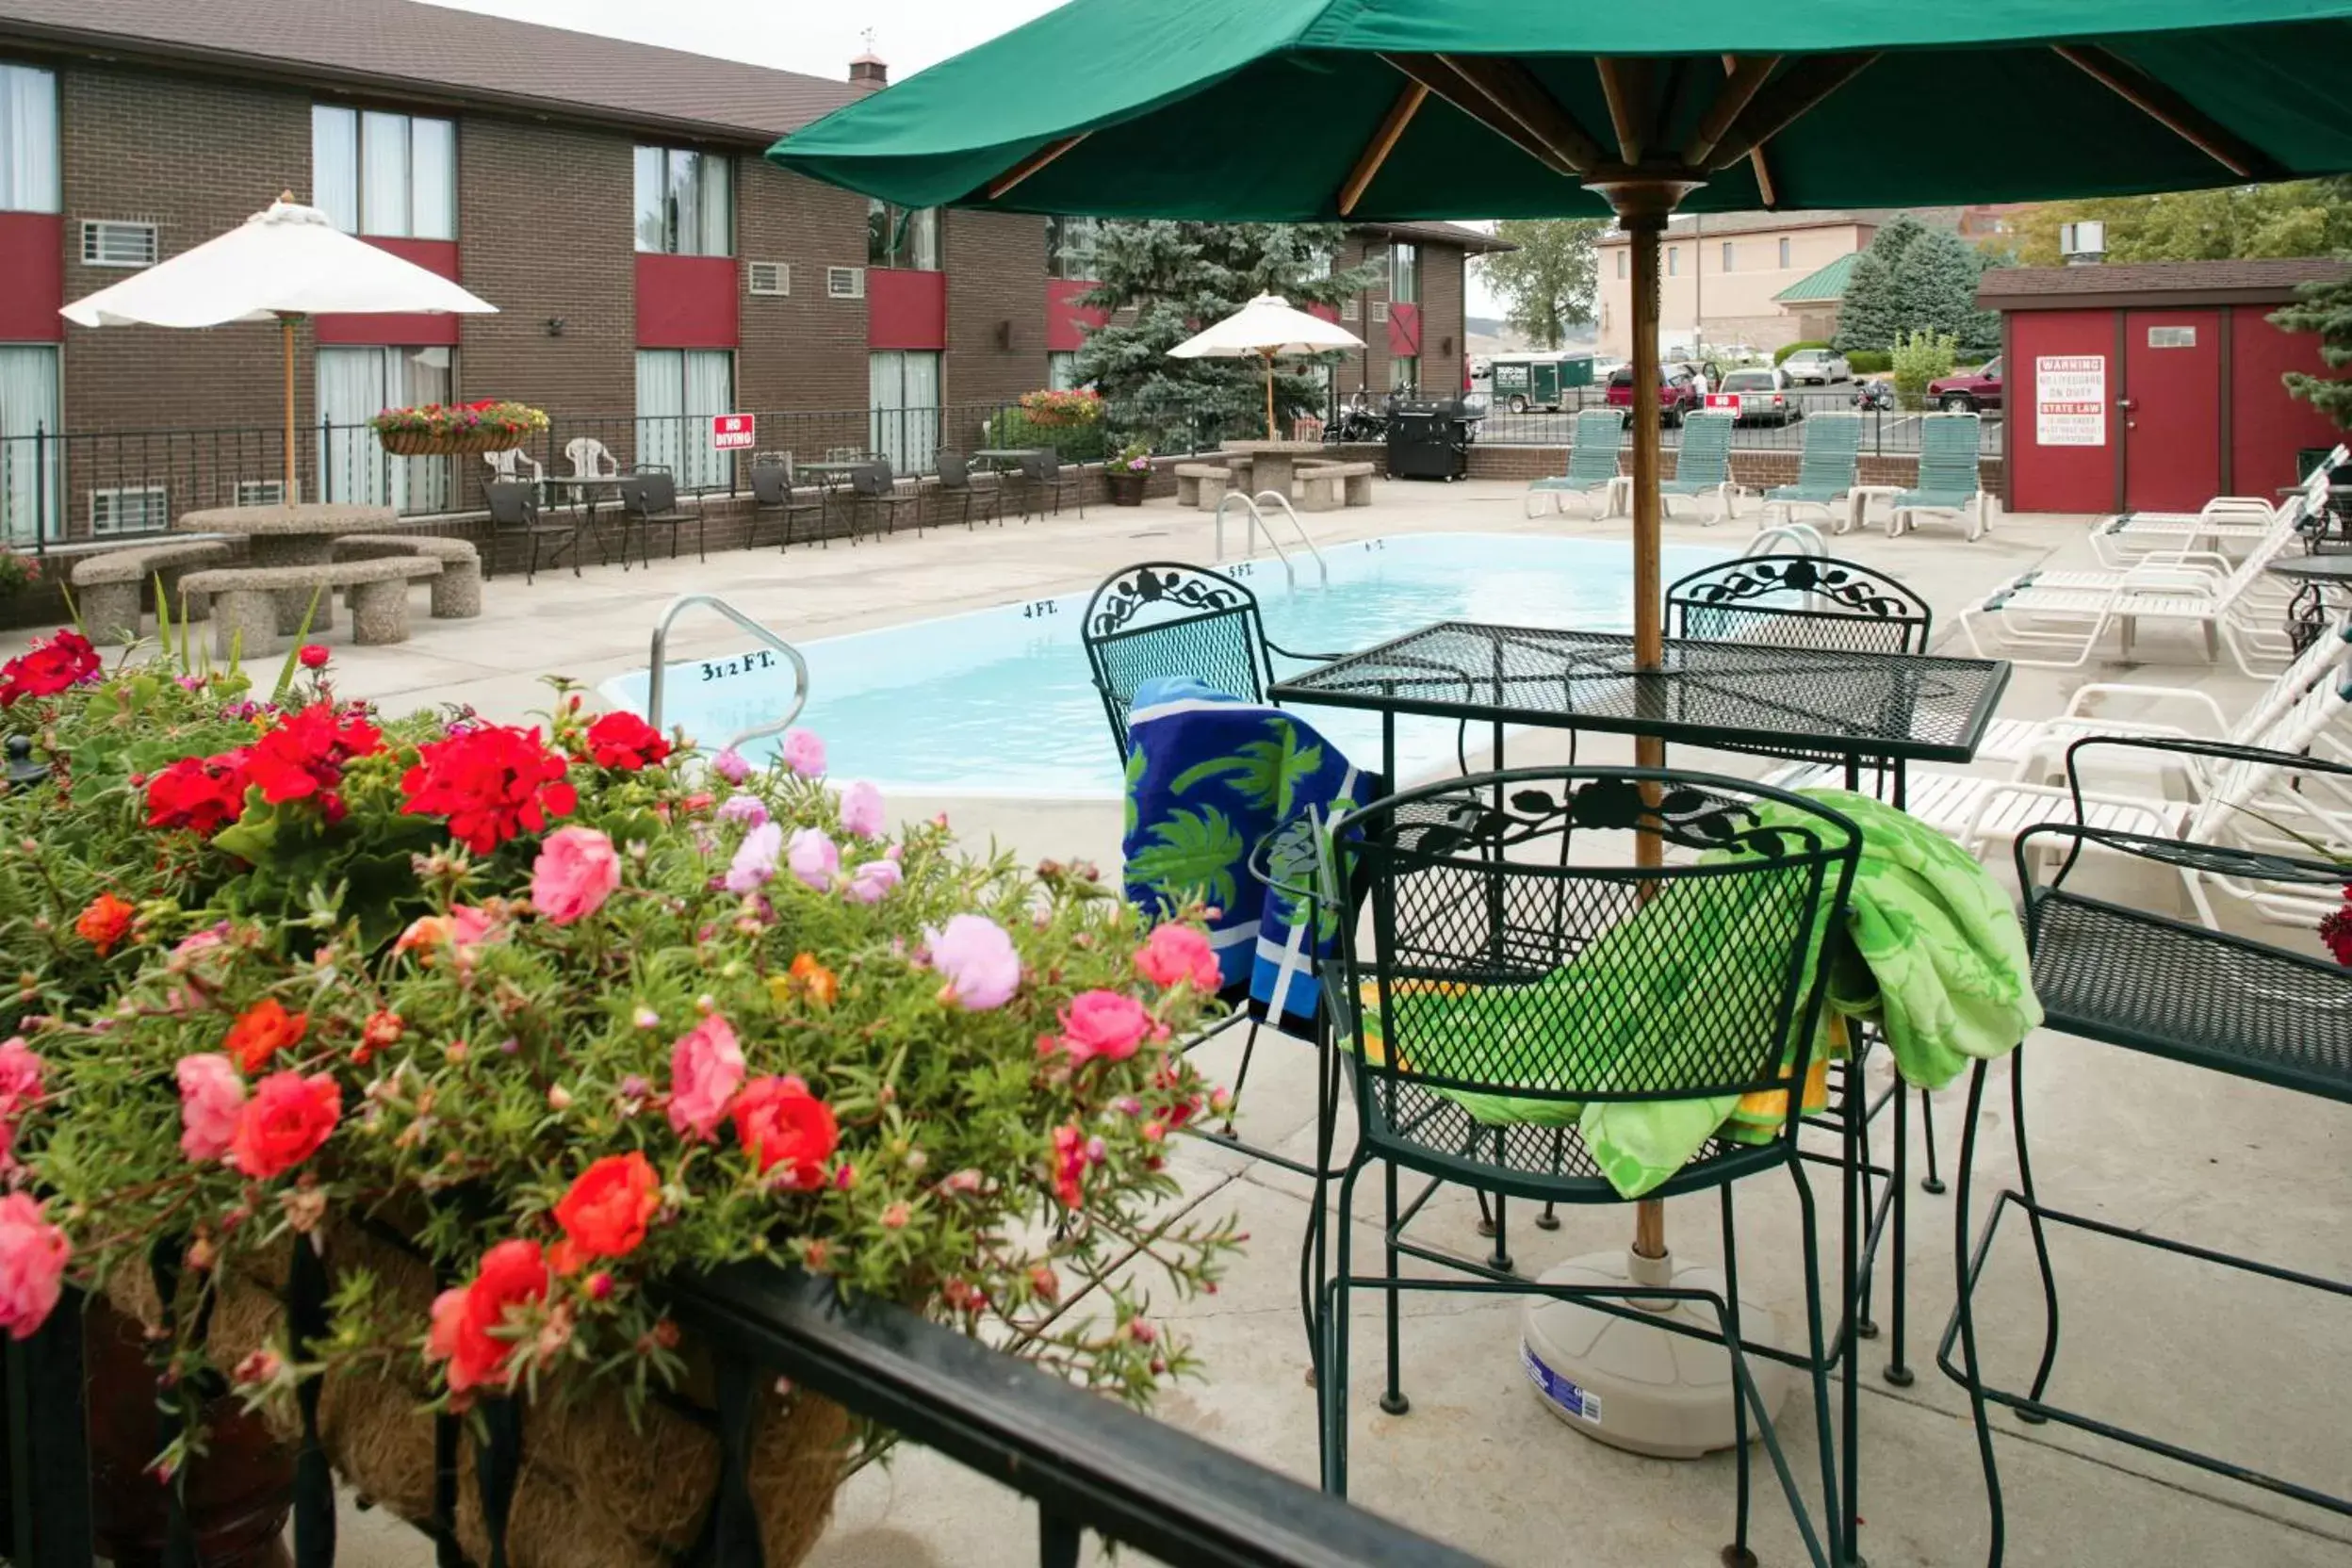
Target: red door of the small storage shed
x,y
2172,410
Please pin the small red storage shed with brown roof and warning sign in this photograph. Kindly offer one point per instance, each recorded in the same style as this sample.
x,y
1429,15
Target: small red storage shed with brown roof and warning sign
x,y
2153,387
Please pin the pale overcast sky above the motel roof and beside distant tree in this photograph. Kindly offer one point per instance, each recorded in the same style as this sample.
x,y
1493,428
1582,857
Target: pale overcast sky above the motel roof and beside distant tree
x,y
810,36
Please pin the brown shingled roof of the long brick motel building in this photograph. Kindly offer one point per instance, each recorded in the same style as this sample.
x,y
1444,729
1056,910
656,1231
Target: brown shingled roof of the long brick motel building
x,y
436,53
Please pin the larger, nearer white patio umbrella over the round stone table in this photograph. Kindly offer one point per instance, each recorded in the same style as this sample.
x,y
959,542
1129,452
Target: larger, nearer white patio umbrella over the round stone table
x,y
286,264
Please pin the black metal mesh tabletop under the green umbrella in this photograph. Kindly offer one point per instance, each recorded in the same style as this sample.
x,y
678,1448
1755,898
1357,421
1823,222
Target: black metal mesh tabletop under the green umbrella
x,y
1887,706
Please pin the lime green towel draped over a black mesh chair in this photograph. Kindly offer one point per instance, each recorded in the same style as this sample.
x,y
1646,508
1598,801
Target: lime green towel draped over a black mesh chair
x,y
1930,951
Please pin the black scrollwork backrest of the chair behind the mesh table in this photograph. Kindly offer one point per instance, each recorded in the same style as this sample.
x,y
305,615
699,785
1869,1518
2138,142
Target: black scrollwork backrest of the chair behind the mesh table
x,y
1800,601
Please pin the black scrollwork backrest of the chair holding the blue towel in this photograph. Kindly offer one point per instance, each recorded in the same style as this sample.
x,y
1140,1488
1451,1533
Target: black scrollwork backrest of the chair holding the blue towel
x,y
1172,619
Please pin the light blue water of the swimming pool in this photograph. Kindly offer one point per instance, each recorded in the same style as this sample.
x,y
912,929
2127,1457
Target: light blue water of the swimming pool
x,y
998,702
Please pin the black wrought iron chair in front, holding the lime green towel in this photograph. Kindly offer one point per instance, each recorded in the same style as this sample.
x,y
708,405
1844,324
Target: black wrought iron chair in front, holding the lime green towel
x,y
1518,953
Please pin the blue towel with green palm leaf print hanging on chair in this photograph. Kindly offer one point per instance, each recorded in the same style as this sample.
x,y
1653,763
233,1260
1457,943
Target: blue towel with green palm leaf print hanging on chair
x,y
1208,779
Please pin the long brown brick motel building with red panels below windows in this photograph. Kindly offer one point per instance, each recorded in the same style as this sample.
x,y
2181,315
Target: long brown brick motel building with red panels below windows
x,y
610,199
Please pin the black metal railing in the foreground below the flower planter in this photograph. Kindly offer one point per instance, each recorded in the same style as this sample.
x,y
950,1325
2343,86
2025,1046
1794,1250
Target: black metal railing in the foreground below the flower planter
x,y
1093,1466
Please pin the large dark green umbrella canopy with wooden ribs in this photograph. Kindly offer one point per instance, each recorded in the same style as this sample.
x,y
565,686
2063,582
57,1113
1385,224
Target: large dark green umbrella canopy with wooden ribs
x,y
1274,109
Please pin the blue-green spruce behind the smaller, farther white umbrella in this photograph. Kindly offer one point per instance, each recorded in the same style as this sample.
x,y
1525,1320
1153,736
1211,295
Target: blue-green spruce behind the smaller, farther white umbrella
x,y
1177,279
